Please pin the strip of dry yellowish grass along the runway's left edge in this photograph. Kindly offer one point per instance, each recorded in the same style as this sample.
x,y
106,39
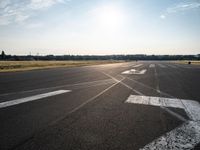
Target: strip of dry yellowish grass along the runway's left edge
x,y
9,66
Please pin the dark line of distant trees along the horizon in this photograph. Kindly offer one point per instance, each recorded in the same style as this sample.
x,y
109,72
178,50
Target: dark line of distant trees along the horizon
x,y
98,57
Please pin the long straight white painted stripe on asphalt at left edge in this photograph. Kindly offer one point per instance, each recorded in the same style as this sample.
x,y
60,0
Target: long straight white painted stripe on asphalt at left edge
x,y
31,98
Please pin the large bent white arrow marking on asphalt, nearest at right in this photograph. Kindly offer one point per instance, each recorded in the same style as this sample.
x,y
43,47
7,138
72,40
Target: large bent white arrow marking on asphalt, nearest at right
x,y
187,136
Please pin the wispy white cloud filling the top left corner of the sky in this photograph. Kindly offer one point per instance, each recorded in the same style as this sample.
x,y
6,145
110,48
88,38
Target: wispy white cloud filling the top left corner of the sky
x,y
17,11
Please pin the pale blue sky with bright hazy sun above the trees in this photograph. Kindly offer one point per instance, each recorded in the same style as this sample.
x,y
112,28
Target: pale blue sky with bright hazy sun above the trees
x,y
99,27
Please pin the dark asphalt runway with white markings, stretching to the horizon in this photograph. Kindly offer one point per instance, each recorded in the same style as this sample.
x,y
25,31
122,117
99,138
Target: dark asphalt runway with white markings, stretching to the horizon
x,y
123,106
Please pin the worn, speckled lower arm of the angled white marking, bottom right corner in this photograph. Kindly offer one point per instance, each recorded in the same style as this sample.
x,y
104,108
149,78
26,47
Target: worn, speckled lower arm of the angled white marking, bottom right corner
x,y
186,137
